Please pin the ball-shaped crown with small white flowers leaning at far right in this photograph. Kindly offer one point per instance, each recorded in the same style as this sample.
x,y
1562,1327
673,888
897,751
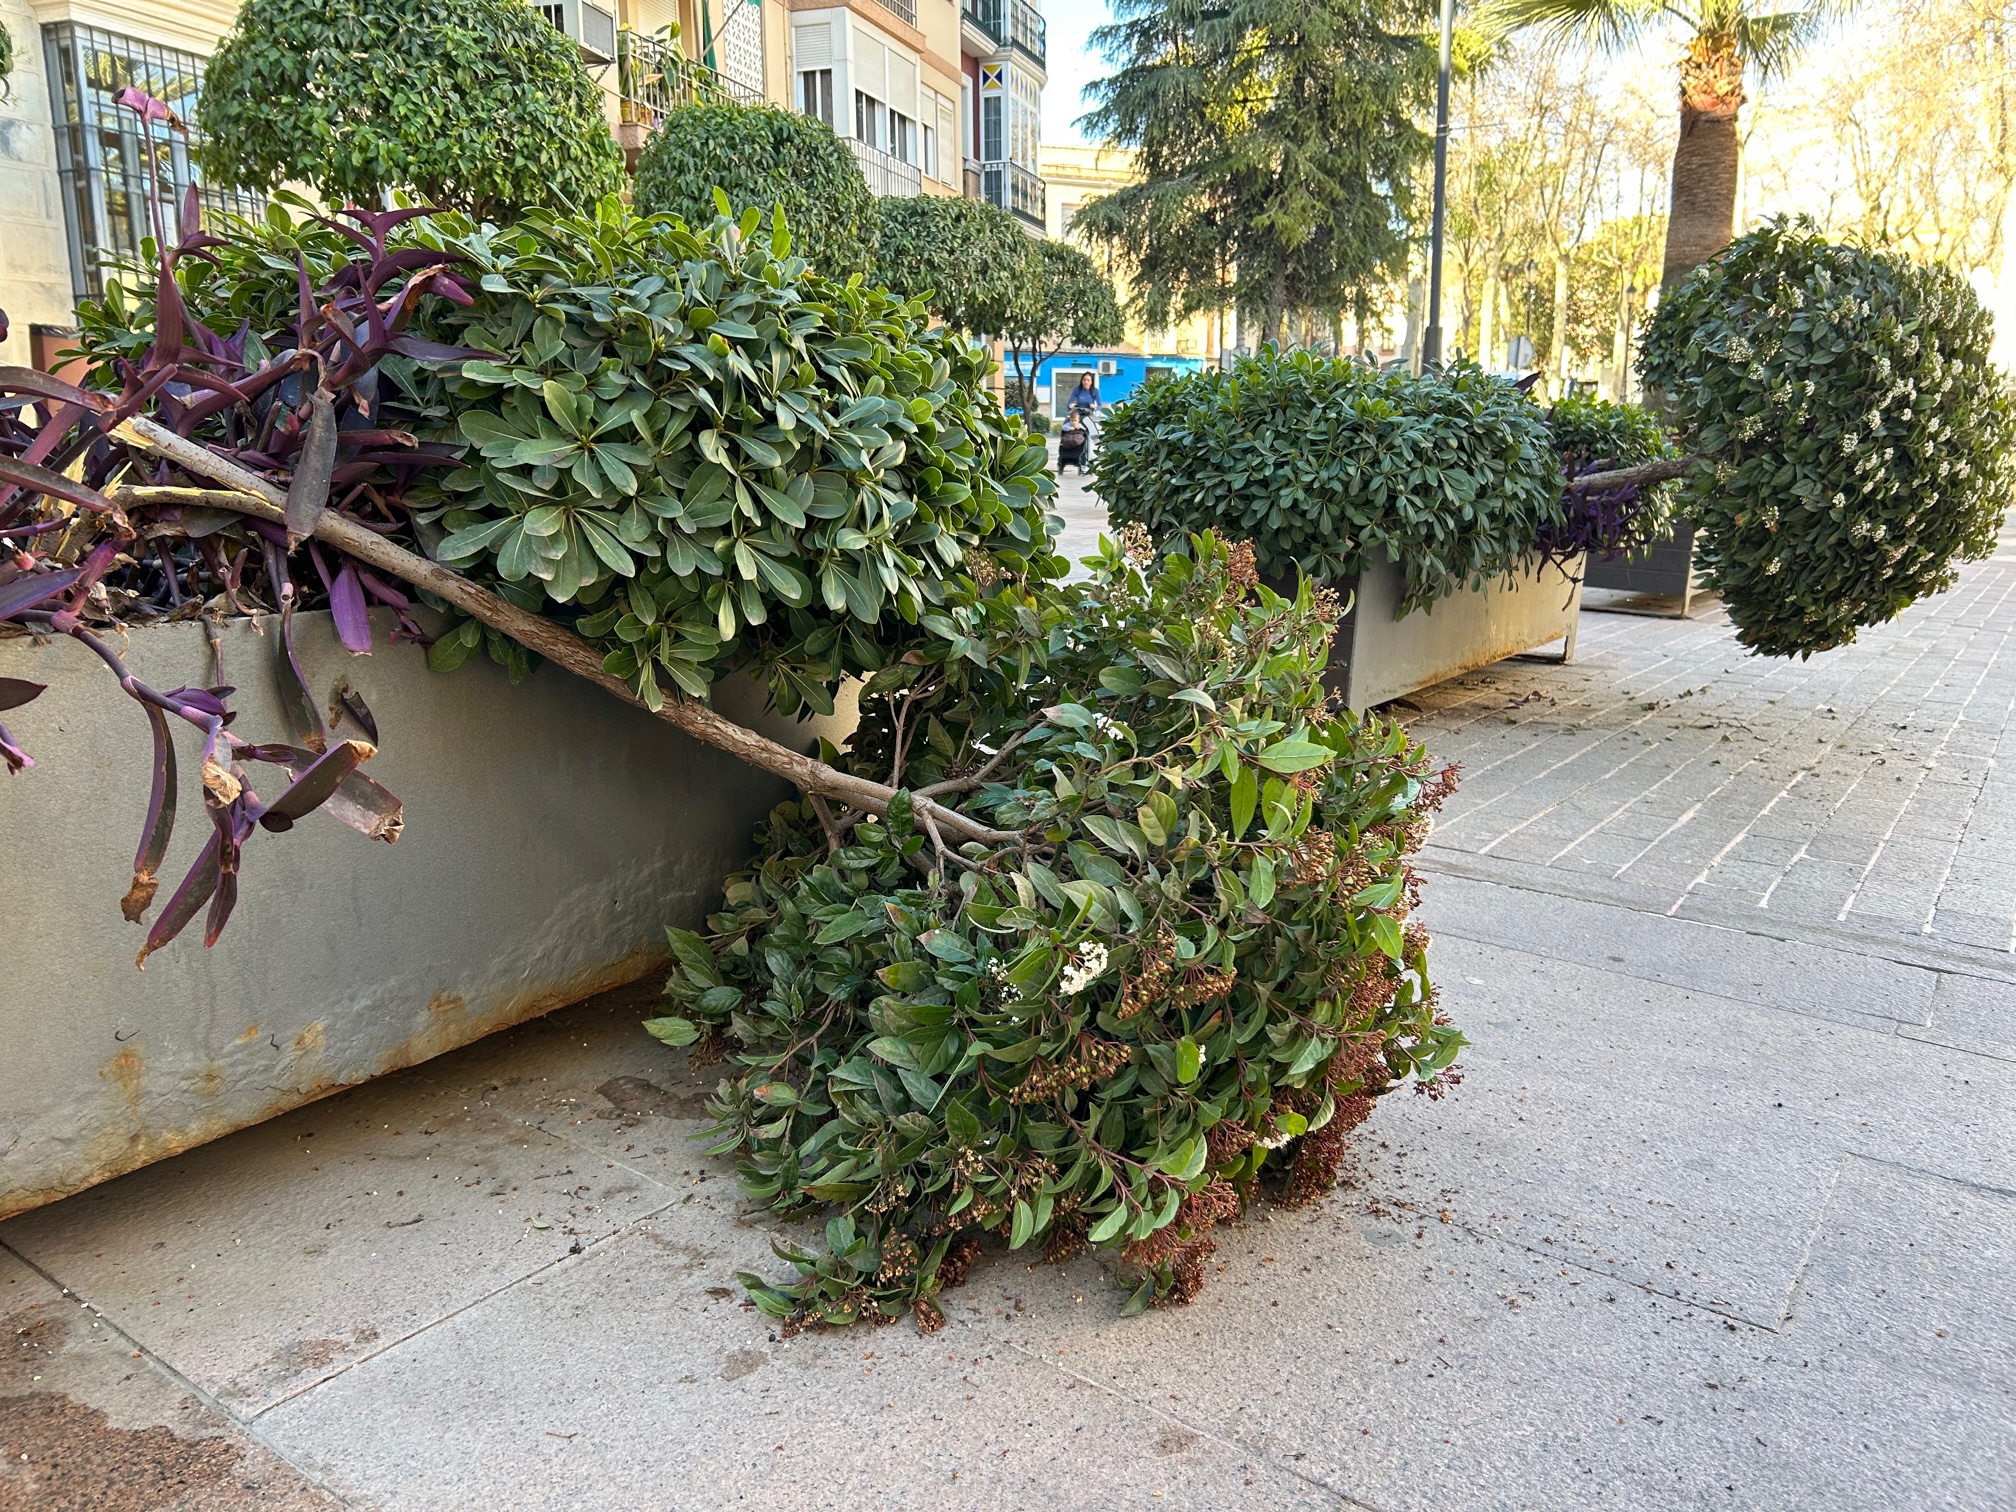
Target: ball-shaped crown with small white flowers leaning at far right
x,y
1854,428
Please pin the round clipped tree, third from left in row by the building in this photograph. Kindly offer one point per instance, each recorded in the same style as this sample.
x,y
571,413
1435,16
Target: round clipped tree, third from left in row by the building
x,y
965,255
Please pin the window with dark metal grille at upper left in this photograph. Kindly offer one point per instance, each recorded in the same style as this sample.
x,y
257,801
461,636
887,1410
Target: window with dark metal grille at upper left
x,y
122,178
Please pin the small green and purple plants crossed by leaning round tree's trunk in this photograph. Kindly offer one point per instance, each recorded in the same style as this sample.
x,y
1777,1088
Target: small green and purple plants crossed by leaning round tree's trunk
x,y
1602,436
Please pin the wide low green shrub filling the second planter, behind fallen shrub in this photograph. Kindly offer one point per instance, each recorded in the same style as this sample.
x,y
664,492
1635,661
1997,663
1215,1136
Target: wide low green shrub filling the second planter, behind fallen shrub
x,y
1330,467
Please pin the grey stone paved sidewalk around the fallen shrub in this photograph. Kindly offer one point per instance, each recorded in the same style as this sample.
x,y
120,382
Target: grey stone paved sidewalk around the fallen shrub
x,y
1723,1217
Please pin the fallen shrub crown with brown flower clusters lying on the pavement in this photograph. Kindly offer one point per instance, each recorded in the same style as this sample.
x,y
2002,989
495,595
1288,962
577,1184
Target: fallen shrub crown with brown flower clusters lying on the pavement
x,y
1186,977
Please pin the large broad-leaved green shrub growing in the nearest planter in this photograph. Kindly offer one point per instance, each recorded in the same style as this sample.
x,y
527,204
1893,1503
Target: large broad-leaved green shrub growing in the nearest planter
x,y
684,445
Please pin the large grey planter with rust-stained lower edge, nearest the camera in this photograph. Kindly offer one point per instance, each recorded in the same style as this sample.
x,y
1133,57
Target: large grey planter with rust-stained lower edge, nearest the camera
x,y
551,836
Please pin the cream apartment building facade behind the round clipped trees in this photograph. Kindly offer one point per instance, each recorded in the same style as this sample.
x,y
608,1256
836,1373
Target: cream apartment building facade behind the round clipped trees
x,y
932,98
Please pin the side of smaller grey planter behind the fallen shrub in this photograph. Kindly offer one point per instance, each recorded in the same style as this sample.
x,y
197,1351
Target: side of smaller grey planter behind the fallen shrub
x,y
1378,656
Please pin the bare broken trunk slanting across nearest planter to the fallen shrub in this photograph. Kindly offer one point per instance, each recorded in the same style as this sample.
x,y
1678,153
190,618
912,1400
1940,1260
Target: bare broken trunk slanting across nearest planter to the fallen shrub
x,y
247,493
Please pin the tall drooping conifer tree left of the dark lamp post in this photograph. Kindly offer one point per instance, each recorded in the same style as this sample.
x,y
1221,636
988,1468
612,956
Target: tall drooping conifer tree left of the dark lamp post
x,y
1279,152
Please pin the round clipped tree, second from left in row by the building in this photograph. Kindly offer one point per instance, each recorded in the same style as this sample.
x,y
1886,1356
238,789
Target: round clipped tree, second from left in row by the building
x,y
763,158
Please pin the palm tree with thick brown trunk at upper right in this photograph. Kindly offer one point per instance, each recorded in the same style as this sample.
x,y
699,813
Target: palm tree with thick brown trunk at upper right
x,y
1727,39
